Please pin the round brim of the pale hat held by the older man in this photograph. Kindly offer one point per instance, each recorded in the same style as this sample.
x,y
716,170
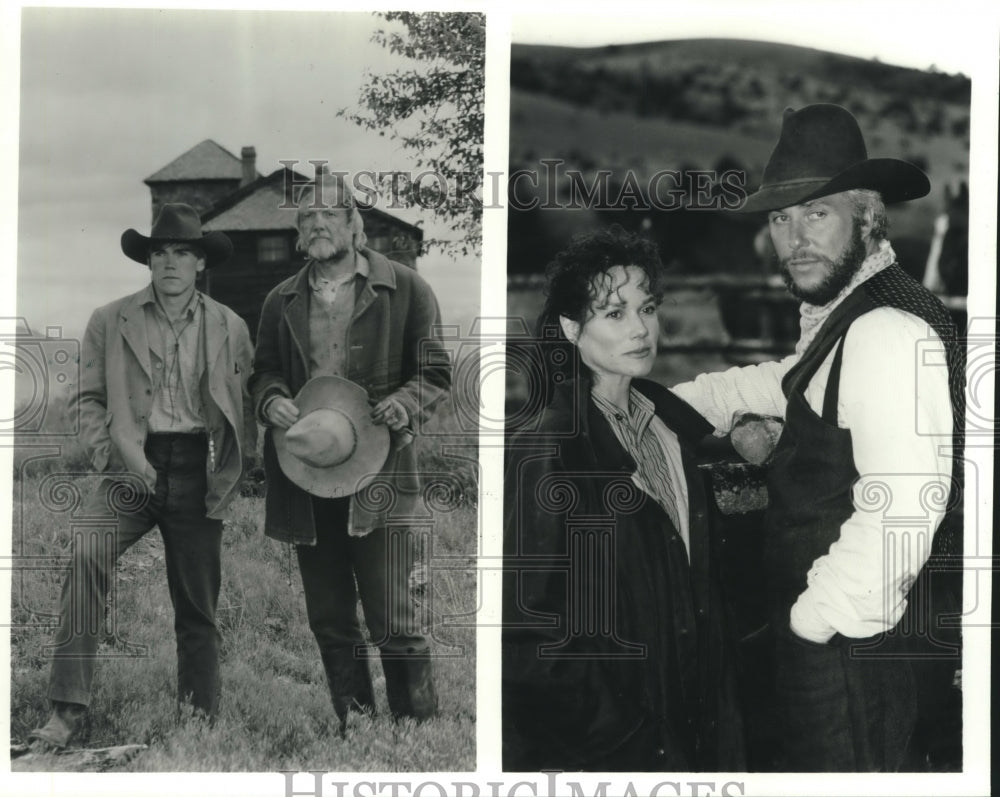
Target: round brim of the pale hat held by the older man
x,y
370,454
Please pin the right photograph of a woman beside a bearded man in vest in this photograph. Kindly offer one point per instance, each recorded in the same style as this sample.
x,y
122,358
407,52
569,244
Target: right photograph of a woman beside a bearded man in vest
x,y
735,493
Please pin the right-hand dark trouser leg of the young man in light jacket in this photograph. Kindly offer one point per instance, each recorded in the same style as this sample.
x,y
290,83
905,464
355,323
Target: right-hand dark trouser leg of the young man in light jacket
x,y
192,546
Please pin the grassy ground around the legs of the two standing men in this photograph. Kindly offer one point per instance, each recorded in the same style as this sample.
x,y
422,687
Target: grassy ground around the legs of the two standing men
x,y
275,711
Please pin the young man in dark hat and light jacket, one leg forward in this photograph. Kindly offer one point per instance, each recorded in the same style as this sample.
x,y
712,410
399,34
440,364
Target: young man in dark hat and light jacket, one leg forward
x,y
162,418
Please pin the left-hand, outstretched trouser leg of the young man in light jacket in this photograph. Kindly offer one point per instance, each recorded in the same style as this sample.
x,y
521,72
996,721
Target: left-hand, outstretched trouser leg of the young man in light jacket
x,y
88,579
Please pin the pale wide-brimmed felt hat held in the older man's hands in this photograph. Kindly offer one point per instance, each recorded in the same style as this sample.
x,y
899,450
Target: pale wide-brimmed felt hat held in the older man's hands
x,y
334,449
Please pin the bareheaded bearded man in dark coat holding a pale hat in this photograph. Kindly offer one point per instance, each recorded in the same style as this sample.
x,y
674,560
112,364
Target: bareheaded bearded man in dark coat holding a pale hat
x,y
350,314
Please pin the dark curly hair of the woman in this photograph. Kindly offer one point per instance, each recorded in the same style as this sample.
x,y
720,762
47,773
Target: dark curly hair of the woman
x,y
570,291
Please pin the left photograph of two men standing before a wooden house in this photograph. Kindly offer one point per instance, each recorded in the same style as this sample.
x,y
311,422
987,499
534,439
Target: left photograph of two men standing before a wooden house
x,y
244,288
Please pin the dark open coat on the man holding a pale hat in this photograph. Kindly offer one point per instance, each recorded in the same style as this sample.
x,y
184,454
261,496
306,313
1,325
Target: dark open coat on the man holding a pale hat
x,y
392,351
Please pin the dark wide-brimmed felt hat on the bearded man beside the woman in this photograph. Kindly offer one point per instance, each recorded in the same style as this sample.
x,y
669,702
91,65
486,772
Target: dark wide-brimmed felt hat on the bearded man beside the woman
x,y
820,152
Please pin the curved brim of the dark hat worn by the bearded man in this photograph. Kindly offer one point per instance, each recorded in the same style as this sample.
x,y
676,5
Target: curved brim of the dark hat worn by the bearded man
x,y
896,180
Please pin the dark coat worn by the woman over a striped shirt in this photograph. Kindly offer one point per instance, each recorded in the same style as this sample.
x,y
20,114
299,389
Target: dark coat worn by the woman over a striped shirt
x,y
638,672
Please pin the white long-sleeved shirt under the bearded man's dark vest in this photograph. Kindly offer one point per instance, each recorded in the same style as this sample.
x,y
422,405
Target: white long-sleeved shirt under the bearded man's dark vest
x,y
894,397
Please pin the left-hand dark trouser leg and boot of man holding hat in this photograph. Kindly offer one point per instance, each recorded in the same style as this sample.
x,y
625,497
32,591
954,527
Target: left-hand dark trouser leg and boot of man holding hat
x,y
331,606
